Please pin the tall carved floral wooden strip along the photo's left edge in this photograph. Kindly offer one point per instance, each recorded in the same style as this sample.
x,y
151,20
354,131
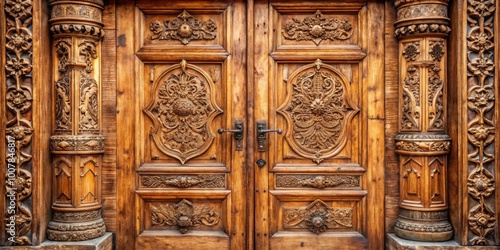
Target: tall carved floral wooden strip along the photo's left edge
x,y
19,127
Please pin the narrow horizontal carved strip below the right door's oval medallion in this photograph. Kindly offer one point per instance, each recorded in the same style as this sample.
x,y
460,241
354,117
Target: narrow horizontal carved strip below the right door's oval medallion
x,y
321,181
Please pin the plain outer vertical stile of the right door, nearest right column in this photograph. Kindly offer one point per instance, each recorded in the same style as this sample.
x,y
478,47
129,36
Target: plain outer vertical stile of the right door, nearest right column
x,y
375,124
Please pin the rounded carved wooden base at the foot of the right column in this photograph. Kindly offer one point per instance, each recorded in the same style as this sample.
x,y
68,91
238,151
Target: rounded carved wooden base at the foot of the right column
x,y
423,226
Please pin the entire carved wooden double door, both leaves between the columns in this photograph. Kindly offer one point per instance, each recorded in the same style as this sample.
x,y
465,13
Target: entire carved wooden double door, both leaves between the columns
x,y
250,125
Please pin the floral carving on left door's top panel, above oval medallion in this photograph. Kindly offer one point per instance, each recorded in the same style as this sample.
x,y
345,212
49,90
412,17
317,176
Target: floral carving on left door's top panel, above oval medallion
x,y
184,28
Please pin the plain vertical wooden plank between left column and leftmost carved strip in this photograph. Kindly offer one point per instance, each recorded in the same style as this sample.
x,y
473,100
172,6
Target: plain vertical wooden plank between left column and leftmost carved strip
x,y
41,121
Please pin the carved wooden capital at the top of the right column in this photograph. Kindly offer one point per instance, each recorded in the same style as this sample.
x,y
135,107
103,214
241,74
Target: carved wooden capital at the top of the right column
x,y
420,17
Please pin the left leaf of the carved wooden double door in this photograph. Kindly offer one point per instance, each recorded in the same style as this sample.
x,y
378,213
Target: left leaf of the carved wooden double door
x,y
185,80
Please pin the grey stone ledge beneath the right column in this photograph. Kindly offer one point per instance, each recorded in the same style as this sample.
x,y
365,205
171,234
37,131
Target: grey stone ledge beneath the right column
x,y
393,242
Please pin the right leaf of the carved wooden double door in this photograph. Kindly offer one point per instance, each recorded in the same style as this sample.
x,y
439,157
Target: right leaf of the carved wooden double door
x,y
319,184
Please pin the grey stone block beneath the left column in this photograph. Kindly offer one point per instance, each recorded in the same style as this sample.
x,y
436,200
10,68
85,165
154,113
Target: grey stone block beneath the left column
x,y
104,242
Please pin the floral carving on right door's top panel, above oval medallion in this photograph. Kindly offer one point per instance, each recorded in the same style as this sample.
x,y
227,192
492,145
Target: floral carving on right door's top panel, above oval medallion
x,y
318,28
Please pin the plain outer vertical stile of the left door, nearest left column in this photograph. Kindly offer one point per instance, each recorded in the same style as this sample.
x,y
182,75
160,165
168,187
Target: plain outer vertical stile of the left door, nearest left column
x,y
125,117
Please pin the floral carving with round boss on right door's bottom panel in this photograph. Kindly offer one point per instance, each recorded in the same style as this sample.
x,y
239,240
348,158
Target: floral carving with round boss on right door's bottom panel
x,y
318,217
